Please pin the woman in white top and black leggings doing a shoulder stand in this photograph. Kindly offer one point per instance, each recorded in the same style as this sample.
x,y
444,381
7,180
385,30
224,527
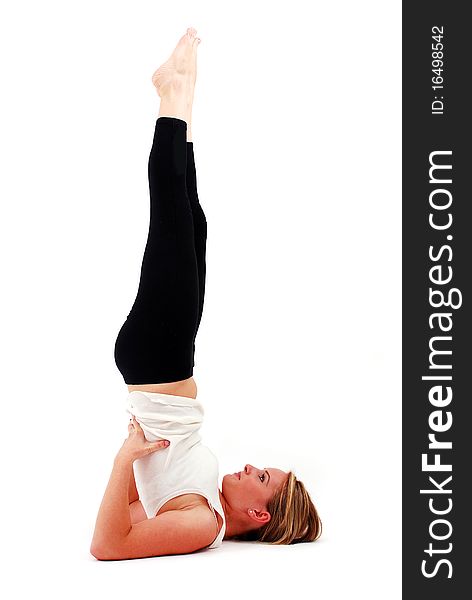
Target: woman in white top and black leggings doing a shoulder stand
x,y
162,496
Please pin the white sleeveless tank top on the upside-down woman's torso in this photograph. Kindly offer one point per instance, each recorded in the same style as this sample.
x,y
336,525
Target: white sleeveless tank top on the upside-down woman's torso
x,y
186,466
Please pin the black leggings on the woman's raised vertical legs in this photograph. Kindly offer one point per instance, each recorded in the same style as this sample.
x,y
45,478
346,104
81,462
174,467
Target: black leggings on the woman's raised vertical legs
x,y
156,344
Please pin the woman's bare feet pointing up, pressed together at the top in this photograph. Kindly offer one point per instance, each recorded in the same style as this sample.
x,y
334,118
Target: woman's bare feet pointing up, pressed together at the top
x,y
181,68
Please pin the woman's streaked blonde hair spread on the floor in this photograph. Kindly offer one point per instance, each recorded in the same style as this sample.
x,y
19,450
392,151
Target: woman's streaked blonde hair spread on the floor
x,y
294,518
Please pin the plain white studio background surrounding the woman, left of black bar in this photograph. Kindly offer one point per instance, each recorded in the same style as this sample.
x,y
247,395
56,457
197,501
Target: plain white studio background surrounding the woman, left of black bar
x,y
297,133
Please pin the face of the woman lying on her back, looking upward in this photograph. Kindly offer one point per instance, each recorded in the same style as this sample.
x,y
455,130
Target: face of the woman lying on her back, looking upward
x,y
252,488
